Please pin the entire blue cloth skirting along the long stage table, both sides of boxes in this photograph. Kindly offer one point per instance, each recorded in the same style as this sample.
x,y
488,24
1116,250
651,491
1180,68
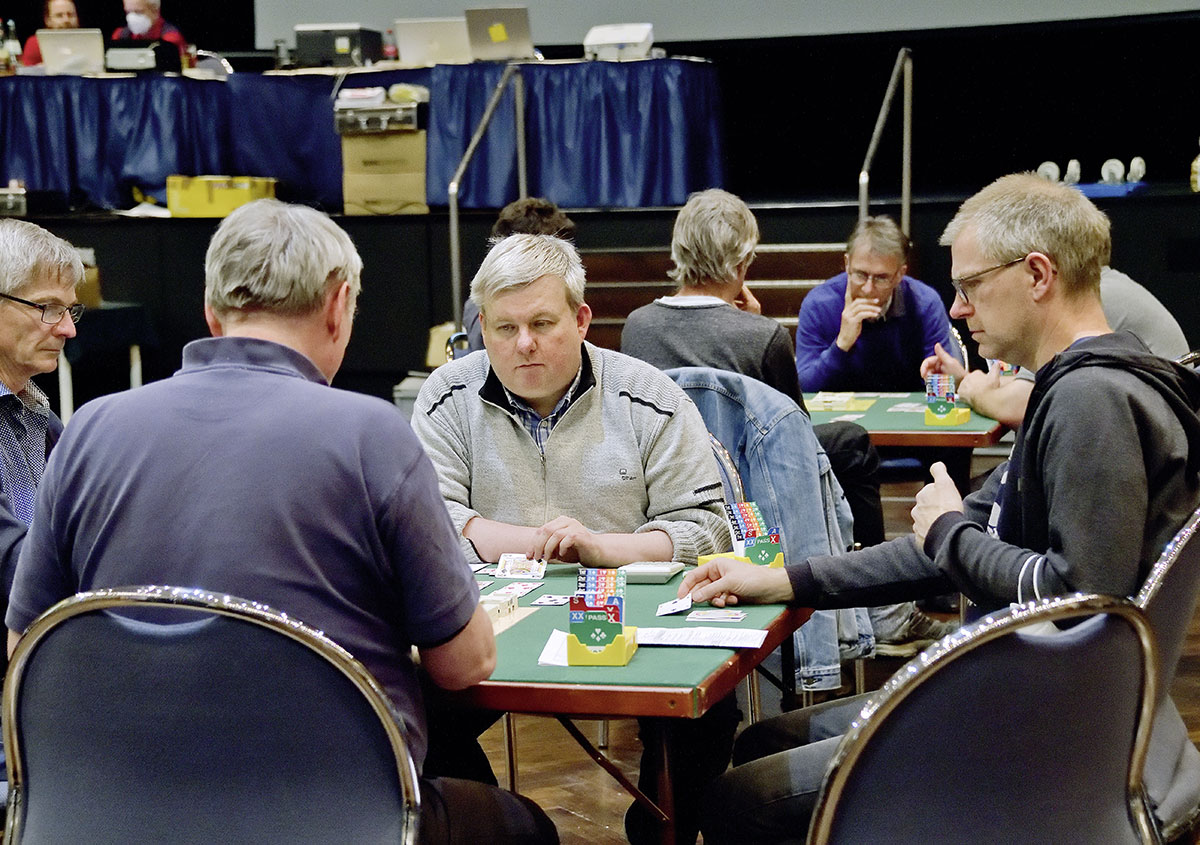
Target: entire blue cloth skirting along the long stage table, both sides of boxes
x,y
608,135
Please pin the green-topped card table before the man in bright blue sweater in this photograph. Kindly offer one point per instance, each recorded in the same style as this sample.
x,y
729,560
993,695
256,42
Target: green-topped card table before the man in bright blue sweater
x,y
891,428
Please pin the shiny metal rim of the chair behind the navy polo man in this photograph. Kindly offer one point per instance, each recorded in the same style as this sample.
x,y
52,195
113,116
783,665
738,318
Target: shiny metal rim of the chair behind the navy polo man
x,y
251,613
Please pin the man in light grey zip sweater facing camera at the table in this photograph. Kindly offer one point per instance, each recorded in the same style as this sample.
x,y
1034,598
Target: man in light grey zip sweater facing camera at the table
x,y
557,450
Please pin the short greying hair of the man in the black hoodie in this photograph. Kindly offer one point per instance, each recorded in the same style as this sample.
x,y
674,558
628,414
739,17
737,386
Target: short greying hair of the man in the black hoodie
x,y
1023,213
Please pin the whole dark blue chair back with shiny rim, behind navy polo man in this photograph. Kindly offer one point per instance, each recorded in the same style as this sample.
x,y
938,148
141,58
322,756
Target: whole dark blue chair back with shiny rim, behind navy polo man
x,y
170,715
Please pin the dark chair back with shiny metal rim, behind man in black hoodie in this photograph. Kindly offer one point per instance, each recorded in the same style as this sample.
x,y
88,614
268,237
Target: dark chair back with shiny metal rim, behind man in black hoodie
x,y
1007,730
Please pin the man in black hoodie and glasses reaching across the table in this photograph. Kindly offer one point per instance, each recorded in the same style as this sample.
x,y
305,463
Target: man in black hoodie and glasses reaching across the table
x,y
1103,472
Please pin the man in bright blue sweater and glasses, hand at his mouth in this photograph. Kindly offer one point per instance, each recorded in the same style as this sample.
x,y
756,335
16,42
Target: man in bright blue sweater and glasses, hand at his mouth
x,y
872,327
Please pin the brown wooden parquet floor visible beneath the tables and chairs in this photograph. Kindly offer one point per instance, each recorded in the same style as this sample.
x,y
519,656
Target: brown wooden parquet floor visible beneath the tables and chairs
x,y
589,807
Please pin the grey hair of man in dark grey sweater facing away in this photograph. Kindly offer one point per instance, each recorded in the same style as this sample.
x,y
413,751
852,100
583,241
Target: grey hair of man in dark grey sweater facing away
x,y
715,235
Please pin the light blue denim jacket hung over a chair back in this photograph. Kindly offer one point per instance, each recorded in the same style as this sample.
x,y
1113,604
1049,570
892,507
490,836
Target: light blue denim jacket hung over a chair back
x,y
785,471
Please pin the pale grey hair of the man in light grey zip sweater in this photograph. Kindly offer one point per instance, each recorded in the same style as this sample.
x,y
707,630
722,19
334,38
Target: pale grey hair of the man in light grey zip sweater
x,y
519,261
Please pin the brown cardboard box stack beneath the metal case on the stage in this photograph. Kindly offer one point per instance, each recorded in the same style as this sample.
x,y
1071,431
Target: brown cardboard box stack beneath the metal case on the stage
x,y
385,173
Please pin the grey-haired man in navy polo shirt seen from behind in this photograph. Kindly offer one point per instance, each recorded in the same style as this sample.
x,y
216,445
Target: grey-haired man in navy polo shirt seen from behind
x,y
247,474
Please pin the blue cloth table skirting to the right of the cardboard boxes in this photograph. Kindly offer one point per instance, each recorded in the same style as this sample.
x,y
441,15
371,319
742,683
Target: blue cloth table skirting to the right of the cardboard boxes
x,y
599,134
